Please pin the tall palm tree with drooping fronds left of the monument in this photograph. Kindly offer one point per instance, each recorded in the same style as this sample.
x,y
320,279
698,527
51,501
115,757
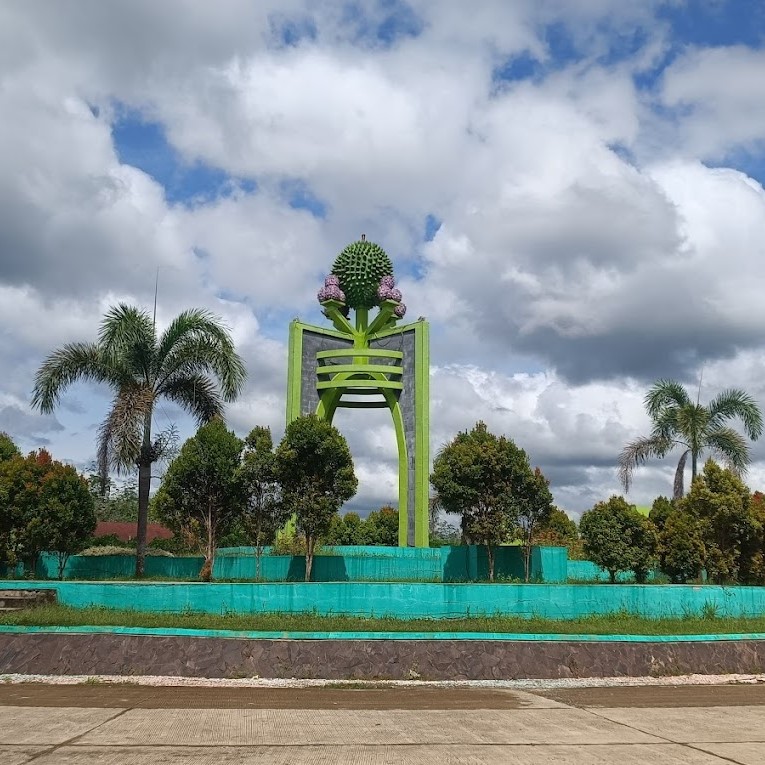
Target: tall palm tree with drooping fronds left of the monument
x,y
192,363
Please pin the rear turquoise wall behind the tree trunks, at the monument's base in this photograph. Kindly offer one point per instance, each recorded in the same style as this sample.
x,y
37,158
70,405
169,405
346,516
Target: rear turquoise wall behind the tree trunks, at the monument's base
x,y
343,564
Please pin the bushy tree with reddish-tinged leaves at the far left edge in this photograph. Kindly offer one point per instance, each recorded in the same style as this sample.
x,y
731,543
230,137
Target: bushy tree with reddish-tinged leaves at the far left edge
x,y
46,506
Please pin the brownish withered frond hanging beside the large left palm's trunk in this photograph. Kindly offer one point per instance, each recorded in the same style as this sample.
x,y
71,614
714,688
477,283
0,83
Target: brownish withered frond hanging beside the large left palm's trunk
x,y
121,435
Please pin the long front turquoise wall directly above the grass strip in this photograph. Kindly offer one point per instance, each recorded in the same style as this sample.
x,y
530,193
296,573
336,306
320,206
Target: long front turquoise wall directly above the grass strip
x,y
411,600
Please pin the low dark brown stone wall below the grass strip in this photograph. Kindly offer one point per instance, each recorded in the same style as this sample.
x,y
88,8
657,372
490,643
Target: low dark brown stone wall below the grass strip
x,y
92,654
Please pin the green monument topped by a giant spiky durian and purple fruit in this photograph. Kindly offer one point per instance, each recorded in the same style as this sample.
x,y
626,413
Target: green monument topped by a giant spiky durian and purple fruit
x,y
367,360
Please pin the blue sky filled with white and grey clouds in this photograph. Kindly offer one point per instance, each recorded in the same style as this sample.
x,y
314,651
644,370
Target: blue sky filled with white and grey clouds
x,y
571,193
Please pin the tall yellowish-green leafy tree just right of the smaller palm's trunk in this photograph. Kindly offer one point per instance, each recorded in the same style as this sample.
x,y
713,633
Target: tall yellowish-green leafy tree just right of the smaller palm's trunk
x,y
721,502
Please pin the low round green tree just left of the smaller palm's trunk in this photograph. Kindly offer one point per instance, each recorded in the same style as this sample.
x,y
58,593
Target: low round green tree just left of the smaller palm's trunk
x,y
618,538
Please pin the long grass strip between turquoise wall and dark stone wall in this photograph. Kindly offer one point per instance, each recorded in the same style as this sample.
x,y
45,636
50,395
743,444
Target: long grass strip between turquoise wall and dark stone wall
x,y
708,622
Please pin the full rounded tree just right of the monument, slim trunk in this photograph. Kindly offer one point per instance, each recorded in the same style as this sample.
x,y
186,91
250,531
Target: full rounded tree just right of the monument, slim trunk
x,y
484,478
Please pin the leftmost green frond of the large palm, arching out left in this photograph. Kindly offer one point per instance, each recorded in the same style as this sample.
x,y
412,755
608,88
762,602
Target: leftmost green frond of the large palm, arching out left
x,y
72,362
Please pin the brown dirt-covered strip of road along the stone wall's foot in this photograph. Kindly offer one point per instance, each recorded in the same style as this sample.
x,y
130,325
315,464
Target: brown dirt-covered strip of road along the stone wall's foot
x,y
126,695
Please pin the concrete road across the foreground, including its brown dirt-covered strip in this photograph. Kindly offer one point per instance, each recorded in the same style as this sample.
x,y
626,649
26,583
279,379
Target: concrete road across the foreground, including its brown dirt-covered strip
x,y
121,724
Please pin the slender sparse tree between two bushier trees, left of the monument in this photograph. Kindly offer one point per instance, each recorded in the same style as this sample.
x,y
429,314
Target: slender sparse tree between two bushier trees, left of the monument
x,y
265,511
